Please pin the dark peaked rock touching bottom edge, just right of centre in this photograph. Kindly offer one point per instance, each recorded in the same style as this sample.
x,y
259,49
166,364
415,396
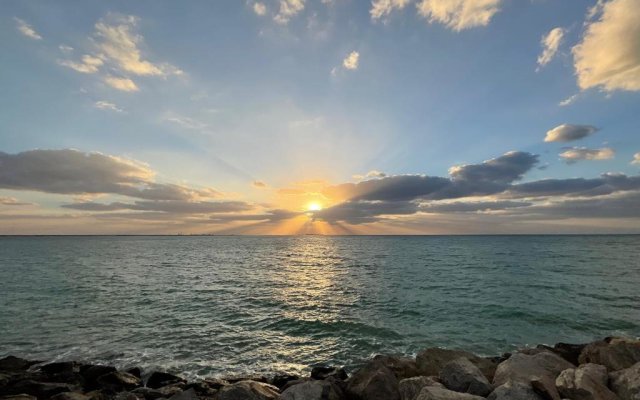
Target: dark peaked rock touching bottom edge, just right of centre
x,y
374,381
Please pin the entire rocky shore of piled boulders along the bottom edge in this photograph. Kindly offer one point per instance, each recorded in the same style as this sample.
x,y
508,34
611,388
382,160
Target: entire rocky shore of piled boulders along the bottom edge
x,y
607,369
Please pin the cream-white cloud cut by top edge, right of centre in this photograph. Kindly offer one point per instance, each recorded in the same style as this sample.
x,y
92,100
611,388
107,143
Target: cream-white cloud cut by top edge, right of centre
x,y
459,14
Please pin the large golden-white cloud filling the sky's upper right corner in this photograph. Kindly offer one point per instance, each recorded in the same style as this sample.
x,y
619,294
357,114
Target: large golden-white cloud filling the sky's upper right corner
x,y
609,54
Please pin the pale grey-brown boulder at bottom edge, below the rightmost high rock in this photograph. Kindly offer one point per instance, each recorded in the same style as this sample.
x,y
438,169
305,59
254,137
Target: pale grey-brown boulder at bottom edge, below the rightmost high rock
x,y
587,382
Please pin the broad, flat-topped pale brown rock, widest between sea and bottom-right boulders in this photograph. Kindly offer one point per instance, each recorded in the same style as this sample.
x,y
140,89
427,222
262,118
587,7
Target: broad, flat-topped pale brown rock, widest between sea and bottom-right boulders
x,y
523,368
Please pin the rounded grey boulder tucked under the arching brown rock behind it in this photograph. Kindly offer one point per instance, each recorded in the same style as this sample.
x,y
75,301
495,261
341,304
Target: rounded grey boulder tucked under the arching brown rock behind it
x,y
461,375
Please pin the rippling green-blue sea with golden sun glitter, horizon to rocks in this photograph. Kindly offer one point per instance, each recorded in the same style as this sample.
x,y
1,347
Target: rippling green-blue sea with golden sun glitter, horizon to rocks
x,y
225,305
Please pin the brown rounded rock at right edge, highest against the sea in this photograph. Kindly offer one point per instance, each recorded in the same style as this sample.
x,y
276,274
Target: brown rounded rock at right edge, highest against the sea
x,y
613,353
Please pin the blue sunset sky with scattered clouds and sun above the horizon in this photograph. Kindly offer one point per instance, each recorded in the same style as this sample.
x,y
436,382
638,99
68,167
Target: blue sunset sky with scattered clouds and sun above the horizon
x,y
320,117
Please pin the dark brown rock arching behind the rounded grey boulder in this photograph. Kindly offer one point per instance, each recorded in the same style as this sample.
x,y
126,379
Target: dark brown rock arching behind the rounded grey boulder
x,y
431,361
